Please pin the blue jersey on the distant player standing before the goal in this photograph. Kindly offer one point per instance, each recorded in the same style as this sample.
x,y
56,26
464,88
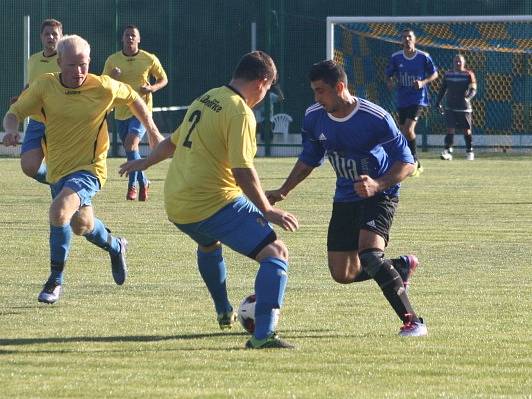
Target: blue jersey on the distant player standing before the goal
x,y
406,70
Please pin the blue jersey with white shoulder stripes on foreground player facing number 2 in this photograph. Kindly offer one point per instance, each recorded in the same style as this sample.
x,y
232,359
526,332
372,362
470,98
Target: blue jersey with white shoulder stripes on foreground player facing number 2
x,y
366,142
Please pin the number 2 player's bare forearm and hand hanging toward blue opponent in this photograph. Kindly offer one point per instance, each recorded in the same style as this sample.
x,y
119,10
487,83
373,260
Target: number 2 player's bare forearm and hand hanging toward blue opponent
x,y
249,182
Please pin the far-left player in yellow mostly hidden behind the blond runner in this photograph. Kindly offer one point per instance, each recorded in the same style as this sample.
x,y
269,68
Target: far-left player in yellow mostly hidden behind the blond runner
x,y
45,61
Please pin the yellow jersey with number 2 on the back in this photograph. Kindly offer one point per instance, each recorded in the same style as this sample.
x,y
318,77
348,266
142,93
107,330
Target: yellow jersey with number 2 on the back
x,y
217,134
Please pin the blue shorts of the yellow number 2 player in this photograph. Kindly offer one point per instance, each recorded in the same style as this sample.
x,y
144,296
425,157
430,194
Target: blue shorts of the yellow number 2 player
x,y
239,225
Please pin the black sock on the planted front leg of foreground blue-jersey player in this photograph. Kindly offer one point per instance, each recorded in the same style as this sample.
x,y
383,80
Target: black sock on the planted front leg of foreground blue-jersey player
x,y
392,287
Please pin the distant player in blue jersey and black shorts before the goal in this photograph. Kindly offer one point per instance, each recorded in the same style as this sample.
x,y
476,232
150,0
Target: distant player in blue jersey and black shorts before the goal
x,y
413,70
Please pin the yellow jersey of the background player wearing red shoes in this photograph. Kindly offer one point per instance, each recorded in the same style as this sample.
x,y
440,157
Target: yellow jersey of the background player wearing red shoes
x,y
136,71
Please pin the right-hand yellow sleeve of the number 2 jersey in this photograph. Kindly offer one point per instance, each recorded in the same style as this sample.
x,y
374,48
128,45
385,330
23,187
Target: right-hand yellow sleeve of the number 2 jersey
x,y
241,141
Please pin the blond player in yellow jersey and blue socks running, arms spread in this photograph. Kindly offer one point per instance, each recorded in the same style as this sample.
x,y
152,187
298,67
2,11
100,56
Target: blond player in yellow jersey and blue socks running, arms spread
x,y
75,104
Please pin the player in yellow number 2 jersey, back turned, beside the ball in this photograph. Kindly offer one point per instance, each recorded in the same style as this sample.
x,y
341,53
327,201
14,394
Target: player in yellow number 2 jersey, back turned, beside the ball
x,y
214,195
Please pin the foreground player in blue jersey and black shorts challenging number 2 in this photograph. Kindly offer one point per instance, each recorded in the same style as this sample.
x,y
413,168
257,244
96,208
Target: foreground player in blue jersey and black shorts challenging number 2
x,y
370,157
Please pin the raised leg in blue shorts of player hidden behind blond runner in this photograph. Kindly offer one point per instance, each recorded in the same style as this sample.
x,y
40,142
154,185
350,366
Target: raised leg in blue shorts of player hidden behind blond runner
x,y
31,153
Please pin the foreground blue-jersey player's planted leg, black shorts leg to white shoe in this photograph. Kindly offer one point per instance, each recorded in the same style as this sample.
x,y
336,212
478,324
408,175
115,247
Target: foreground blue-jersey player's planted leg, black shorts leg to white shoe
x,y
373,238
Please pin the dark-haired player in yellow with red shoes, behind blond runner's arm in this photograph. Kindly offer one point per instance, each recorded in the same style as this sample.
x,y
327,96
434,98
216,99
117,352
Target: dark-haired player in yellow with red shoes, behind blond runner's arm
x,y
135,67
